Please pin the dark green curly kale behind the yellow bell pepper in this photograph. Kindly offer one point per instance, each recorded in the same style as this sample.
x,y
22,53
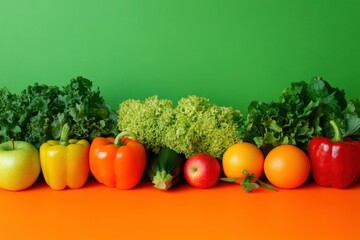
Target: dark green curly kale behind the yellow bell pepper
x,y
38,113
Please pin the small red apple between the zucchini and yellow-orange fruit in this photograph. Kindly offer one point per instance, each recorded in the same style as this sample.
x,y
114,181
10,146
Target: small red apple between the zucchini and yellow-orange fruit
x,y
202,170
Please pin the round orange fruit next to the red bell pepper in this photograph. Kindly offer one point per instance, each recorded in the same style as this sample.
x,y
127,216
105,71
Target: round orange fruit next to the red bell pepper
x,y
287,166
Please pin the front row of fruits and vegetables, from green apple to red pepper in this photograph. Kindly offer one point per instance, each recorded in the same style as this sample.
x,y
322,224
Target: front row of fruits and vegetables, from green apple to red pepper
x,y
122,161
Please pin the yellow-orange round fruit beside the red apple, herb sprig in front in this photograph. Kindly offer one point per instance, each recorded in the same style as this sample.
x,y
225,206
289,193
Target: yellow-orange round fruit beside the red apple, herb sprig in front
x,y
241,156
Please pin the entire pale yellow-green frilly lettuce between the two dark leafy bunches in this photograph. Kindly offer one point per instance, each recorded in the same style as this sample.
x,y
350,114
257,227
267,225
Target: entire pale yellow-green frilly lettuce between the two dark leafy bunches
x,y
193,126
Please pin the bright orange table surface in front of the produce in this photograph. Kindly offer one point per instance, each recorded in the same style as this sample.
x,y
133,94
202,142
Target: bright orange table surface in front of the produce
x,y
222,212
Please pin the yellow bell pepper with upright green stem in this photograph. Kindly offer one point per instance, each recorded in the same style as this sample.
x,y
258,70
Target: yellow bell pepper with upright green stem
x,y
65,163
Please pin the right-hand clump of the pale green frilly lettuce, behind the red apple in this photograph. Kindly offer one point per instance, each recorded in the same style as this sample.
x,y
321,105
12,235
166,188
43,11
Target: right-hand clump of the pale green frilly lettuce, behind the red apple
x,y
200,126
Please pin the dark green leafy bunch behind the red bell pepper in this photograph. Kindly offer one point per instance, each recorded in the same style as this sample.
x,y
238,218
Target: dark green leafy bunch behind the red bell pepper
x,y
303,111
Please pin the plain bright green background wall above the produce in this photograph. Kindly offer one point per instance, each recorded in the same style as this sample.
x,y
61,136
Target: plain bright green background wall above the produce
x,y
231,51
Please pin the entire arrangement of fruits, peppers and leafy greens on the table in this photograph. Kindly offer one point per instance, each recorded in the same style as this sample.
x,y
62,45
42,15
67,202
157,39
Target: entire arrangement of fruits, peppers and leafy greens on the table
x,y
69,133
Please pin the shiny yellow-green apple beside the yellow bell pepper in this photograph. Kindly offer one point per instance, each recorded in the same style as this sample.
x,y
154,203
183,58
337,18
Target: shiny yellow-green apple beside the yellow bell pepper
x,y
19,165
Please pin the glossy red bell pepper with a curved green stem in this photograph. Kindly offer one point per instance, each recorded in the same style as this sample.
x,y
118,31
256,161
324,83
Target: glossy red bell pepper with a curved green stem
x,y
335,162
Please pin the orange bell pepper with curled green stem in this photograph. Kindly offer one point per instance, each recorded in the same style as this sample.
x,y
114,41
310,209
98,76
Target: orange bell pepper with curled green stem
x,y
118,162
